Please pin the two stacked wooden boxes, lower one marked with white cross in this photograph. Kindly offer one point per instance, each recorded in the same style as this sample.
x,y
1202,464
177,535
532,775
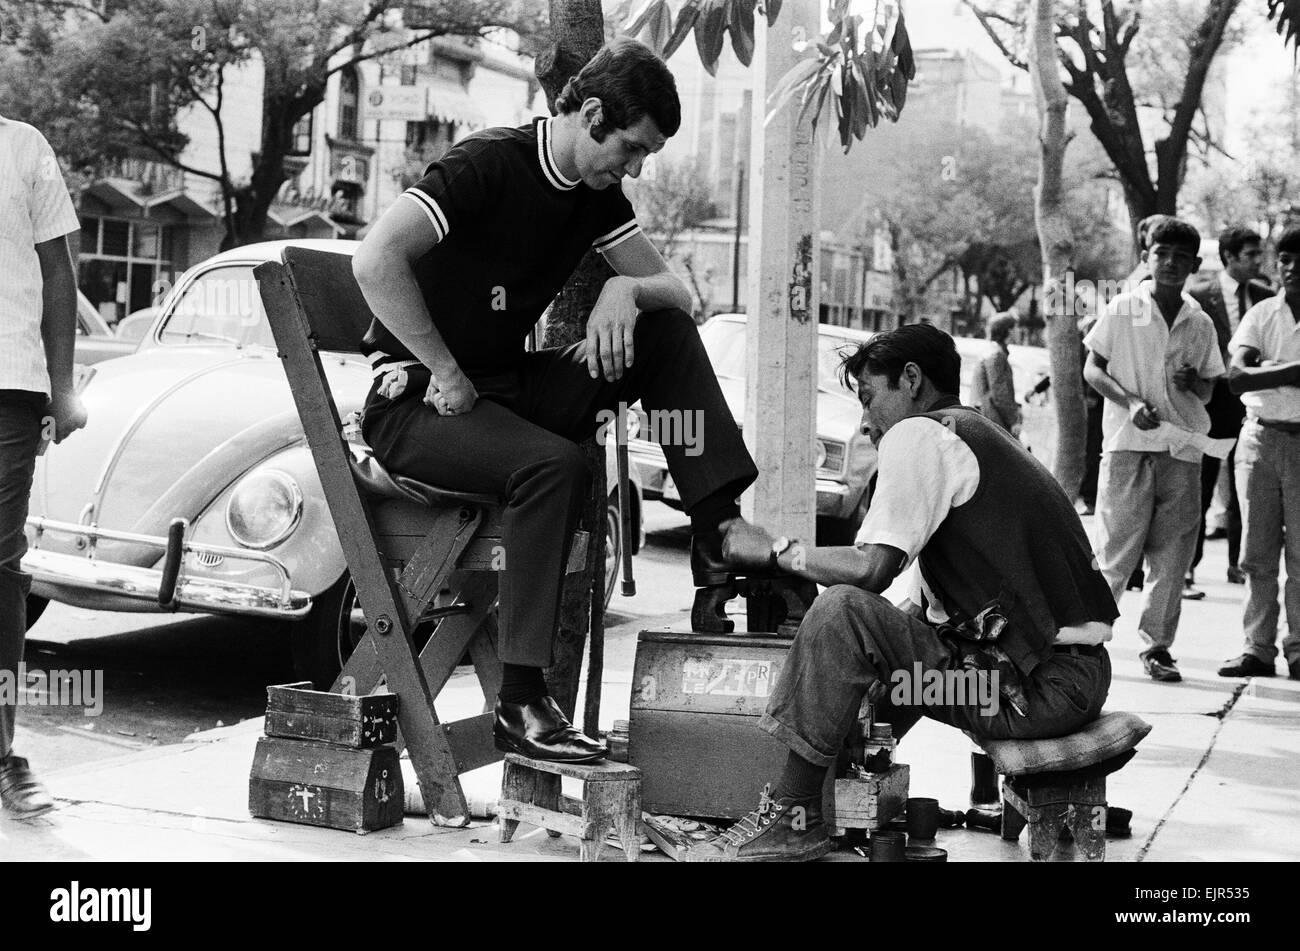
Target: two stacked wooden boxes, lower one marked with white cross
x,y
328,761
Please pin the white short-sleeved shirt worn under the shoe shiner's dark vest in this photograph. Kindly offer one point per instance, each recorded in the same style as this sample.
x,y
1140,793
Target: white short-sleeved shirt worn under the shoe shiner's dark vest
x,y
925,471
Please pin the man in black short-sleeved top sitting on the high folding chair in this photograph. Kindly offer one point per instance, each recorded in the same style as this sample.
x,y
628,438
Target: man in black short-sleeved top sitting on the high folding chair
x,y
458,272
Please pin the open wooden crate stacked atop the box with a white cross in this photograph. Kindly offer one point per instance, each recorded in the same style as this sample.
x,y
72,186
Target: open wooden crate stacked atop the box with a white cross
x,y
298,713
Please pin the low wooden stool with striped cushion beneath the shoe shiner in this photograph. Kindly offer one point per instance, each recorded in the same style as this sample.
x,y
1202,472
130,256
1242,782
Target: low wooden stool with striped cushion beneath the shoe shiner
x,y
1061,783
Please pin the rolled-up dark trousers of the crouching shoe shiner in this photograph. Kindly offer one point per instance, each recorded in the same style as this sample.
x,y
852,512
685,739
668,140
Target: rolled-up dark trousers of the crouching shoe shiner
x,y
852,642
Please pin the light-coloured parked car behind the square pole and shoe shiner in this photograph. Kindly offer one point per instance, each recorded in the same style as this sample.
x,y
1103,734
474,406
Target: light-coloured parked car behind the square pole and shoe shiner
x,y
846,459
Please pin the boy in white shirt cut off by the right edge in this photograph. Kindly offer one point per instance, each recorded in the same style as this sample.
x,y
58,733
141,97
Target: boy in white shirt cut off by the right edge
x,y
1267,374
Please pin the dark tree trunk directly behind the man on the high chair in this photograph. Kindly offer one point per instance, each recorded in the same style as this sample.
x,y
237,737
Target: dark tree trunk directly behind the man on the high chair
x,y
578,33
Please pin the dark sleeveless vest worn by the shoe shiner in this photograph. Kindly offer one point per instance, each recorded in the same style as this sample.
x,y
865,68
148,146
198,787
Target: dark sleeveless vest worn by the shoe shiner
x,y
1017,541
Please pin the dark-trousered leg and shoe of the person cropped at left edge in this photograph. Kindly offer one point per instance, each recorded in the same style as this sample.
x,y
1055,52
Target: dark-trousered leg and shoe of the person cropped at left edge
x,y
20,436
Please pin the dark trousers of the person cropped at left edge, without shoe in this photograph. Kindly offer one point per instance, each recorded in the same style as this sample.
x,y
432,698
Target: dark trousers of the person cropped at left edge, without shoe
x,y
21,414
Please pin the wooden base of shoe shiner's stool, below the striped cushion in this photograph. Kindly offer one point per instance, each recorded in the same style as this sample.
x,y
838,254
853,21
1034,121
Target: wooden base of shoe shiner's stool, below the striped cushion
x,y
1080,806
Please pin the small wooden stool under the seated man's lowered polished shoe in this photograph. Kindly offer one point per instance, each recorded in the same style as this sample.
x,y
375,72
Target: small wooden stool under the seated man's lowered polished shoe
x,y
612,801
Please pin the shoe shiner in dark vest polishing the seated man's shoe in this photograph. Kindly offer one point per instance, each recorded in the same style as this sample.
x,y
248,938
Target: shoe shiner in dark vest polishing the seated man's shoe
x,y
1007,590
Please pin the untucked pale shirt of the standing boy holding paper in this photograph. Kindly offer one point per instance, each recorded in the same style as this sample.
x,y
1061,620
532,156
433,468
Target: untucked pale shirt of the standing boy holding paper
x,y
1143,353
